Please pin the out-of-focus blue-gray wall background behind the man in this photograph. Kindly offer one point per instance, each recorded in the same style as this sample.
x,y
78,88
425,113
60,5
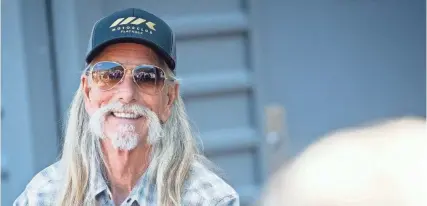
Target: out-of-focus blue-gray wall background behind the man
x,y
262,79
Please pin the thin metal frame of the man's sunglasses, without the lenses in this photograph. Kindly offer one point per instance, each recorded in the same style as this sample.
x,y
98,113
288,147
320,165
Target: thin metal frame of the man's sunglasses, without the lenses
x,y
168,78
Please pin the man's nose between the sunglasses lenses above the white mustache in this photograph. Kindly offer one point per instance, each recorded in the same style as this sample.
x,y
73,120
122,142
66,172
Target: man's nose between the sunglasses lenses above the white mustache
x,y
126,91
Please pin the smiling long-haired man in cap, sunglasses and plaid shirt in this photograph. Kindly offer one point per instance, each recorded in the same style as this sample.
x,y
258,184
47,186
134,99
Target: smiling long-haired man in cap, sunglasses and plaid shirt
x,y
128,140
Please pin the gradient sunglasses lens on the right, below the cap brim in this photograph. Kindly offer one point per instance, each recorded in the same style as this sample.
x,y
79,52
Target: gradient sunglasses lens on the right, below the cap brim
x,y
150,79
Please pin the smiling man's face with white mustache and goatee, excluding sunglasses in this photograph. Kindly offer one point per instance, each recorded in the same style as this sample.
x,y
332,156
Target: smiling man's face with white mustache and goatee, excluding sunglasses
x,y
125,126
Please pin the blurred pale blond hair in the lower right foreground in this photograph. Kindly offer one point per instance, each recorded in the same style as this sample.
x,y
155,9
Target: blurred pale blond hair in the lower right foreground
x,y
383,164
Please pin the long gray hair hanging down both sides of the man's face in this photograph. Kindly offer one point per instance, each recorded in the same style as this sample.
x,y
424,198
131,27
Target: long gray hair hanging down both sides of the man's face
x,y
169,165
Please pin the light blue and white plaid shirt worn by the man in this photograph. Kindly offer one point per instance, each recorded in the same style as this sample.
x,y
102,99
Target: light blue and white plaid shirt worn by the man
x,y
202,188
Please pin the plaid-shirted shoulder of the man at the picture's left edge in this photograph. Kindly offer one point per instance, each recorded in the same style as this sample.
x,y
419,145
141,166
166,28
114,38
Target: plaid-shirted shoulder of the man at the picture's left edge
x,y
42,187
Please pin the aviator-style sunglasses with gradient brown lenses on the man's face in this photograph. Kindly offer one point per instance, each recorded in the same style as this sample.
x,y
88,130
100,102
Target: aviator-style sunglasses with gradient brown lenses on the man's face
x,y
106,75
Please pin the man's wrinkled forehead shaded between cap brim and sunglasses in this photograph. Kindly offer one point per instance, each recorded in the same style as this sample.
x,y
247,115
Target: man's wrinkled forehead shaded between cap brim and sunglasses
x,y
128,53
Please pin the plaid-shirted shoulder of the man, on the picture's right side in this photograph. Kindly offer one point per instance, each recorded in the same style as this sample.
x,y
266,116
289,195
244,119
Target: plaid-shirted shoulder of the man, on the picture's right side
x,y
205,187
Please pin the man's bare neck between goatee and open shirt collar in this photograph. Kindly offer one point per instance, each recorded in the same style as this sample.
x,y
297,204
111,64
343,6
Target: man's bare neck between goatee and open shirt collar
x,y
124,168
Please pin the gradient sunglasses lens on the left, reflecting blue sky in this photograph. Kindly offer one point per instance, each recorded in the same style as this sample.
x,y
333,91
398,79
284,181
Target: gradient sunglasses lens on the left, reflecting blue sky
x,y
106,75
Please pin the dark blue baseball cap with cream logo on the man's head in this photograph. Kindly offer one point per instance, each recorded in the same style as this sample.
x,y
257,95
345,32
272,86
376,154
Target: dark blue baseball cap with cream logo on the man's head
x,y
135,26
